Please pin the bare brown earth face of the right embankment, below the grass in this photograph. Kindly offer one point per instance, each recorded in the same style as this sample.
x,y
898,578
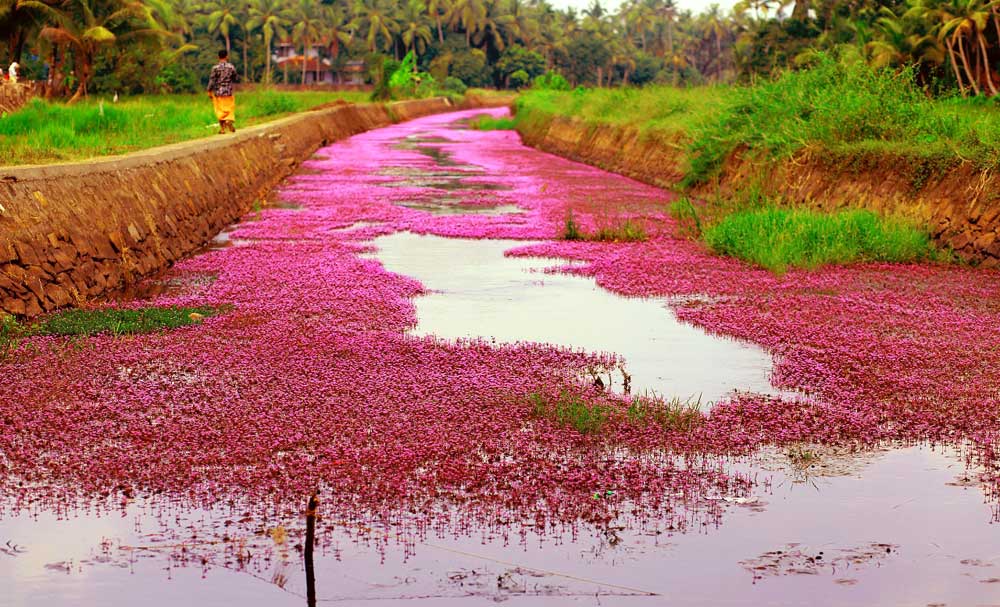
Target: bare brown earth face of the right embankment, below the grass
x,y
957,202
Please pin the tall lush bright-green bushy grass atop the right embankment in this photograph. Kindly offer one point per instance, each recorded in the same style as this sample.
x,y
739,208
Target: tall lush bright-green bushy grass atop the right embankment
x,y
841,108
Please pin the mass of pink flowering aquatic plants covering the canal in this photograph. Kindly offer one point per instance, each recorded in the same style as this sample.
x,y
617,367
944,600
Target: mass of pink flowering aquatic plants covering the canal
x,y
310,380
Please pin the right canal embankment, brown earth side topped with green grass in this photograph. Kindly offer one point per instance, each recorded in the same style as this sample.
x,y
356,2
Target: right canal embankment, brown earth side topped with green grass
x,y
813,149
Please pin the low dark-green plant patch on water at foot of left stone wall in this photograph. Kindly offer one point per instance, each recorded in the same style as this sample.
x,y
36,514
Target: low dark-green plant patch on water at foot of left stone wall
x,y
112,321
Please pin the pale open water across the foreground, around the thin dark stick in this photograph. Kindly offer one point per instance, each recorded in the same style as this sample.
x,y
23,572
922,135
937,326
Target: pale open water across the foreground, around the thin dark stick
x,y
901,527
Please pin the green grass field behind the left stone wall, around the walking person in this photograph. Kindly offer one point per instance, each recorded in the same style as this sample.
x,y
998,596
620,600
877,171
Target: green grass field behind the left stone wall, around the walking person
x,y
44,132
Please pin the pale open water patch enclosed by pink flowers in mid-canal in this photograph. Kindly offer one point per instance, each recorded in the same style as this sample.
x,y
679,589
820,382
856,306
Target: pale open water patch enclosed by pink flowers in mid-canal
x,y
477,292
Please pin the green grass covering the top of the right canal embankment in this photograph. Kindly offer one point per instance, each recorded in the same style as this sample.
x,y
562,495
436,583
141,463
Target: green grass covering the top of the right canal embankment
x,y
843,110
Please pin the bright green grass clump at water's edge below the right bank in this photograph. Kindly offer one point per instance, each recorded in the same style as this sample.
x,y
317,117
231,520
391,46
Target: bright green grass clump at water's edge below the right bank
x,y
778,238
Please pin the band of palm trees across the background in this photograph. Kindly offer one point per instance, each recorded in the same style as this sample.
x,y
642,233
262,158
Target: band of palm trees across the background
x,y
162,45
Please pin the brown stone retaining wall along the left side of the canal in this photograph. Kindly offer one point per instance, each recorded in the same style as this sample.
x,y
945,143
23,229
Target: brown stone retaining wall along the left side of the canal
x,y
72,232
